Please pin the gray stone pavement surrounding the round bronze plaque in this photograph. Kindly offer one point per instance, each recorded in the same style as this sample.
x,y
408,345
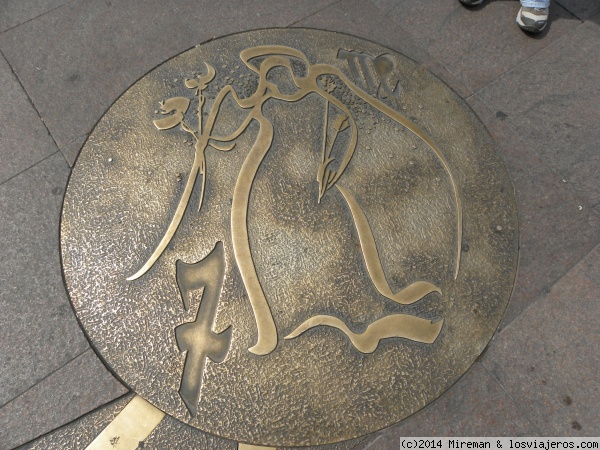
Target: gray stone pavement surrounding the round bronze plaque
x,y
63,63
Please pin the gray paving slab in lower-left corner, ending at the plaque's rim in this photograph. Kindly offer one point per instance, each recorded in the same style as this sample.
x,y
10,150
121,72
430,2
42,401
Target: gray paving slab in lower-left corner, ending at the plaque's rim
x,y
75,389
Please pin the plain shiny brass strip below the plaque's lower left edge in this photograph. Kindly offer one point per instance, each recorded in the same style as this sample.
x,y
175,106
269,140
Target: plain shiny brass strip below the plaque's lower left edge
x,y
131,426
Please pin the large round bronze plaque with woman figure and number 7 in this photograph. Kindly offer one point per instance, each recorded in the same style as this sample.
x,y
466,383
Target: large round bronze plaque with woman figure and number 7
x,y
289,237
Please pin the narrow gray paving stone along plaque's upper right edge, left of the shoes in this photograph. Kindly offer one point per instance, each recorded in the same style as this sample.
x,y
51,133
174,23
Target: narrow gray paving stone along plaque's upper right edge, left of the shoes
x,y
363,19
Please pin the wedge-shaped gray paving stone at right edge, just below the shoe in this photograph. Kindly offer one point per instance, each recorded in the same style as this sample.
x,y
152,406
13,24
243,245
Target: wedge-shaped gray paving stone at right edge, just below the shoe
x,y
553,103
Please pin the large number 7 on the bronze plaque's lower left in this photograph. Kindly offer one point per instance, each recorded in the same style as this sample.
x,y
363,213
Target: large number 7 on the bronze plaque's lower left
x,y
197,338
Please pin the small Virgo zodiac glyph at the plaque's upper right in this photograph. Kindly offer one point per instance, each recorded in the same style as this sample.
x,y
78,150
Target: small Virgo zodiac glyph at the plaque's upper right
x,y
359,64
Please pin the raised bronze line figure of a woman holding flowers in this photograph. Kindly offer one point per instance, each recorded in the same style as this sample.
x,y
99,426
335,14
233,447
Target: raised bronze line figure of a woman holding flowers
x,y
318,79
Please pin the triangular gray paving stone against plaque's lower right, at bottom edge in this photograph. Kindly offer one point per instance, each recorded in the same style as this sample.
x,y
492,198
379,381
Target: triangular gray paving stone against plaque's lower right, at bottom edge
x,y
475,406
